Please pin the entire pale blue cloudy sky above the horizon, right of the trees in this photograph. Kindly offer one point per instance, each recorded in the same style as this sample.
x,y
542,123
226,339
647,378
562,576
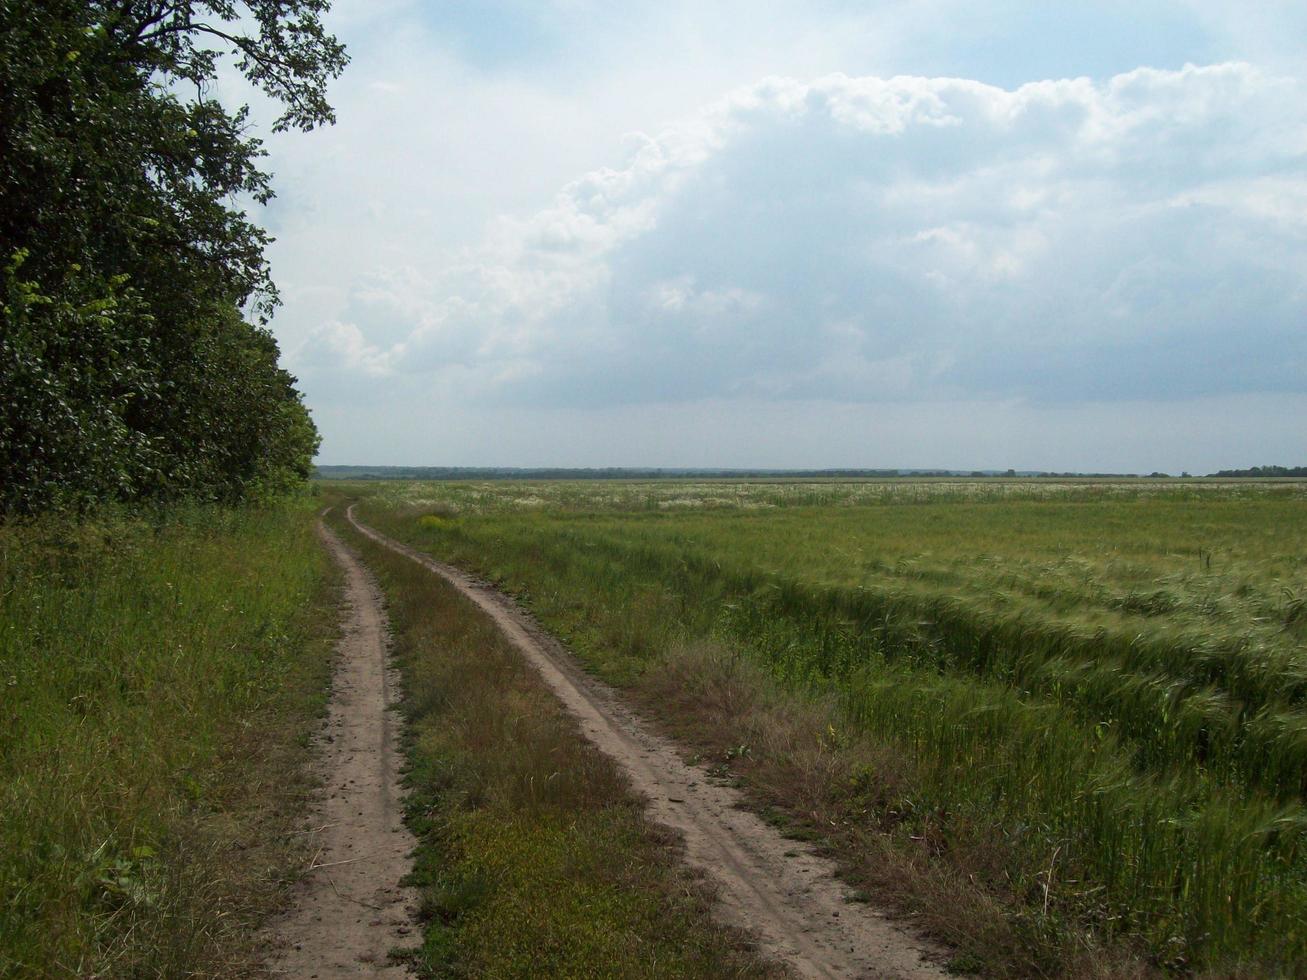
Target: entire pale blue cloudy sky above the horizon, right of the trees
x,y
568,233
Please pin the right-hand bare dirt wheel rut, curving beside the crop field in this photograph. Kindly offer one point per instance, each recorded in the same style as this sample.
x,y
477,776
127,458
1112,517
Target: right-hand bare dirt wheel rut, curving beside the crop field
x,y
774,888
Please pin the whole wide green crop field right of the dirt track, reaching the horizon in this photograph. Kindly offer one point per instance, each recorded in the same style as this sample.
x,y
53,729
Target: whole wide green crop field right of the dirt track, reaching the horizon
x,y
1100,685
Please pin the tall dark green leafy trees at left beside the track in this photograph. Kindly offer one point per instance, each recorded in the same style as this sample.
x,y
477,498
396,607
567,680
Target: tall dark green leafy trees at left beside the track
x,y
135,359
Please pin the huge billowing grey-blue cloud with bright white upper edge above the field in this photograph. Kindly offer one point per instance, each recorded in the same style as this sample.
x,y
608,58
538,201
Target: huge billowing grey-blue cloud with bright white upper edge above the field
x,y
871,240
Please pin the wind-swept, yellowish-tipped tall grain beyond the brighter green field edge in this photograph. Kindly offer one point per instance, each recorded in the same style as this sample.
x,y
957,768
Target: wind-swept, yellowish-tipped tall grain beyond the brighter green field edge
x,y
1197,668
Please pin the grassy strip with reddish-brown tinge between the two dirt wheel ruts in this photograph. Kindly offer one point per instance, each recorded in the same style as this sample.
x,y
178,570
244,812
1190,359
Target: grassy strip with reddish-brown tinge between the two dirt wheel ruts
x,y
534,859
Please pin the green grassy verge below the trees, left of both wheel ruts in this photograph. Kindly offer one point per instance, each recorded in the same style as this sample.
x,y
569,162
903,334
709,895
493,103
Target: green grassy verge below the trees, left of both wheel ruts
x,y
157,684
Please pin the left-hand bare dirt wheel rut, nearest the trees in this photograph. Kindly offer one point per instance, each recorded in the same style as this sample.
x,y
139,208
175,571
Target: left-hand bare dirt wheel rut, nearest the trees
x,y
351,910
